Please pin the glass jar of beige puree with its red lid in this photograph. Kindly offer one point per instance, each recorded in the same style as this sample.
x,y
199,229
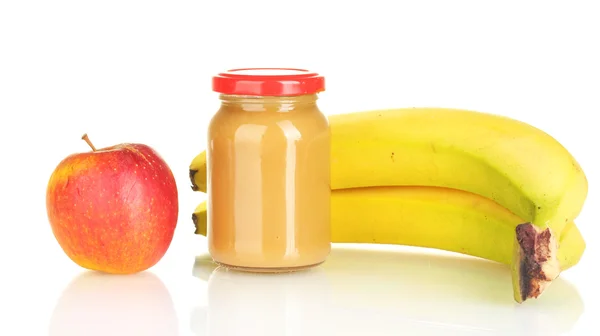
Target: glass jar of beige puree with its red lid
x,y
268,169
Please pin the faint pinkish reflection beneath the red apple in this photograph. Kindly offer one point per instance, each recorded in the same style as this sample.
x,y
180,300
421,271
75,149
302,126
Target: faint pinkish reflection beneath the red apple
x,y
102,304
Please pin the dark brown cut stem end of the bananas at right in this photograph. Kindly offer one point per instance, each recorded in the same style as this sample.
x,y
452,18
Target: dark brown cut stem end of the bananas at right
x,y
538,262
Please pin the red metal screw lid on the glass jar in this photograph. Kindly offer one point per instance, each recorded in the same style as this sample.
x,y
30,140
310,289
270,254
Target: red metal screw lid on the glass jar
x,y
268,82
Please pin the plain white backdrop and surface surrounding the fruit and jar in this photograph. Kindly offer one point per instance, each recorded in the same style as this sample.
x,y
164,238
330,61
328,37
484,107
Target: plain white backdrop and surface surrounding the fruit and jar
x,y
139,71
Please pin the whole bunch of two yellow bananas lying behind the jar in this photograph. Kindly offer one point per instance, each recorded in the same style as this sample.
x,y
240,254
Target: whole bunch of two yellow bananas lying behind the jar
x,y
455,180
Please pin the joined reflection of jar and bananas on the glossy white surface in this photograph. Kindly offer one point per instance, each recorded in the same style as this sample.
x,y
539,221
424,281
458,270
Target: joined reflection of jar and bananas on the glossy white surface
x,y
365,292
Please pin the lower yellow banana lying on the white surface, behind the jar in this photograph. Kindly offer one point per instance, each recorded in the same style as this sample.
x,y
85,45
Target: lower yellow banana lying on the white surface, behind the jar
x,y
450,220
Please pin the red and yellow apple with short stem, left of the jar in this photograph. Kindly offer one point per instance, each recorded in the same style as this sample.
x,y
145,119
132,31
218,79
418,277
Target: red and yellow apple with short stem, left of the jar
x,y
113,209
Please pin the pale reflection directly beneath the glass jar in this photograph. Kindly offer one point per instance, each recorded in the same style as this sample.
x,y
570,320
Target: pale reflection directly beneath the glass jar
x,y
265,304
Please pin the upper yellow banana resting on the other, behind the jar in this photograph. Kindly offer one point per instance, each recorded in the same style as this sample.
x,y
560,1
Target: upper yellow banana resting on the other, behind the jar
x,y
508,161
